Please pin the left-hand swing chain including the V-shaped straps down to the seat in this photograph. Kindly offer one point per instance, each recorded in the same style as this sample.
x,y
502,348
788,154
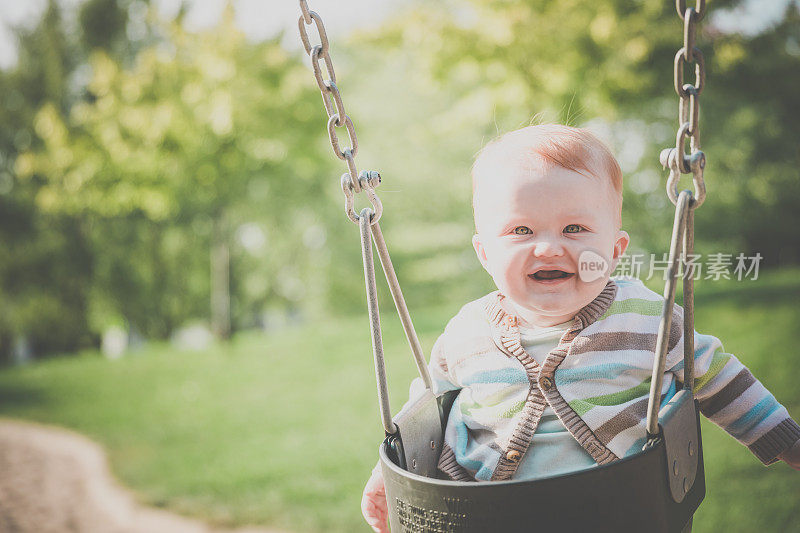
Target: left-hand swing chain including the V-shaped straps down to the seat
x,y
354,182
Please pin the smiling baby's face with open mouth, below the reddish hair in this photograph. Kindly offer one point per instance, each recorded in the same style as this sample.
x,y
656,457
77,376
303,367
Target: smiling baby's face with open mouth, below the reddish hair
x,y
533,223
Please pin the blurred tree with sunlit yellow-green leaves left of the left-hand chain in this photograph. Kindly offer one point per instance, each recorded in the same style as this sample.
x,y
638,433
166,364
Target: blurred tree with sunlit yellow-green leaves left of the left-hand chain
x,y
168,157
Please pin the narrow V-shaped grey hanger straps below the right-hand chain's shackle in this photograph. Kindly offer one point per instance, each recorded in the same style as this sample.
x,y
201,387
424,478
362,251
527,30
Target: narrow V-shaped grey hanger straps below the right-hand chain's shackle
x,y
682,237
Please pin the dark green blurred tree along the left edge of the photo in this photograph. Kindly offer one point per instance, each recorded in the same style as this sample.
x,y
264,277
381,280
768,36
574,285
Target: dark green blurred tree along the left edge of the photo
x,y
45,264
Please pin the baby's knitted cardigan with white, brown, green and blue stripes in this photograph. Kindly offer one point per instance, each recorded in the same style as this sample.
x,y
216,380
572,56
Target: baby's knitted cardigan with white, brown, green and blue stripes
x,y
597,381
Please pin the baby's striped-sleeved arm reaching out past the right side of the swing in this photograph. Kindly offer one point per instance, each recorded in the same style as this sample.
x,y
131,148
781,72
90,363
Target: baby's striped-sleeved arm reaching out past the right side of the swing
x,y
731,397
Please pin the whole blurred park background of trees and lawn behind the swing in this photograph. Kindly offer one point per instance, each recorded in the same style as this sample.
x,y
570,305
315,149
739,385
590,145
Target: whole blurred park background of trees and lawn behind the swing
x,y
178,279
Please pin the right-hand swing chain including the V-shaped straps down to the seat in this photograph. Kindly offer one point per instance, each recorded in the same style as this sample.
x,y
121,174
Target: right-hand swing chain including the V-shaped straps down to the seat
x,y
685,204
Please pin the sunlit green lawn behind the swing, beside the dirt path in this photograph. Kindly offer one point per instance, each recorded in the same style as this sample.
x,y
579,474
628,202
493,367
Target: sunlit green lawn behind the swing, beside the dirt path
x,y
283,429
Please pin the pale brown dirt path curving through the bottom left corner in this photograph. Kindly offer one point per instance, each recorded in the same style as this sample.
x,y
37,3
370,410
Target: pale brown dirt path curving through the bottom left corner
x,y
56,481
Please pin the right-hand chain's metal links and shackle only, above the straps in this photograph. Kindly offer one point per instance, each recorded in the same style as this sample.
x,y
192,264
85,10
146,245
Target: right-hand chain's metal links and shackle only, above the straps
x,y
678,161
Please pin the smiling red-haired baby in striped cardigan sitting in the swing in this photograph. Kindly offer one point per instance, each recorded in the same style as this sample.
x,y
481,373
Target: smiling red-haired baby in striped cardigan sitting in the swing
x,y
553,369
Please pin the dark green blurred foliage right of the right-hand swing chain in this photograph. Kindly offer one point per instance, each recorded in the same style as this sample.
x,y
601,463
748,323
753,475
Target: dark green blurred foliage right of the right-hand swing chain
x,y
755,139
